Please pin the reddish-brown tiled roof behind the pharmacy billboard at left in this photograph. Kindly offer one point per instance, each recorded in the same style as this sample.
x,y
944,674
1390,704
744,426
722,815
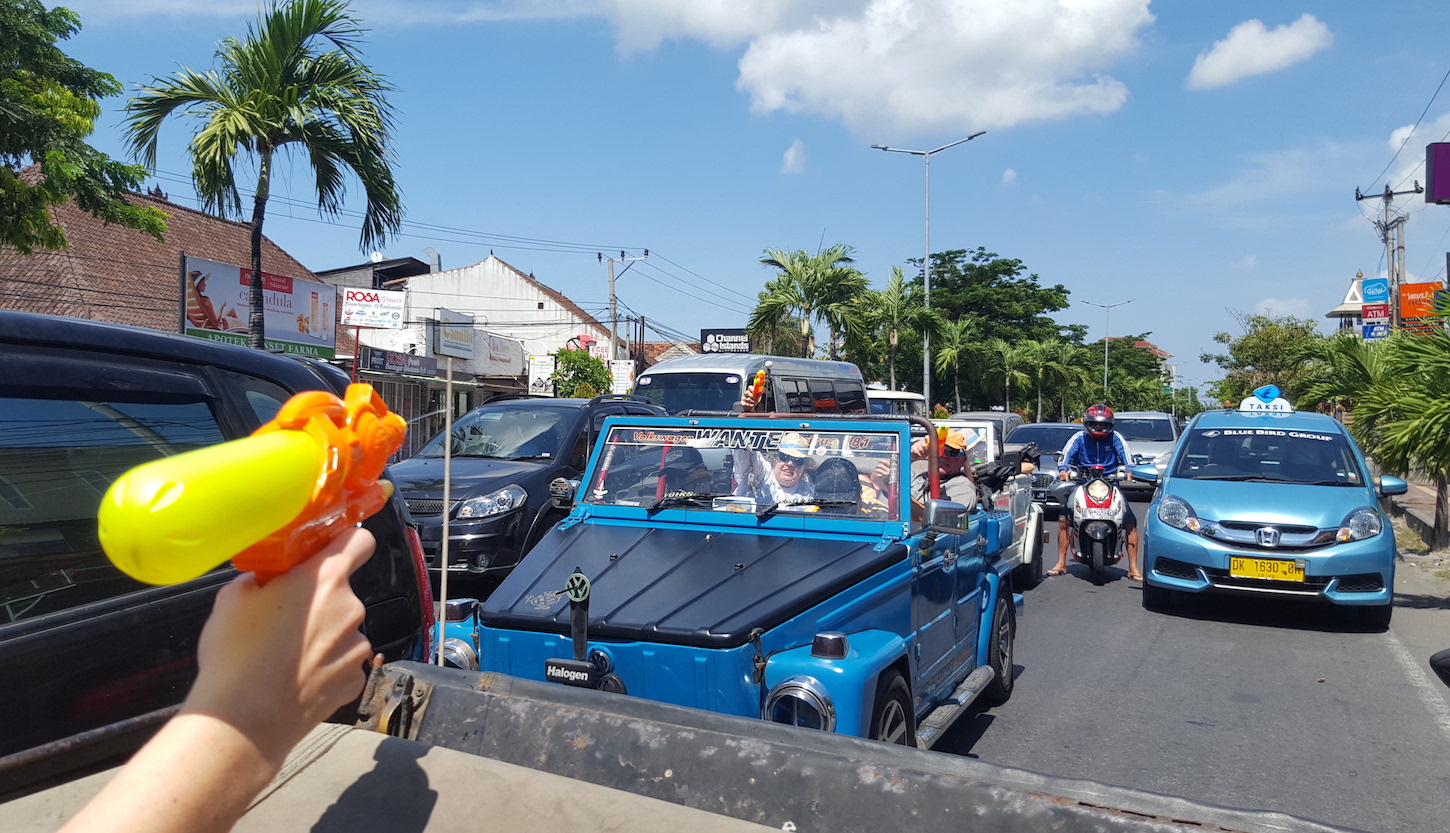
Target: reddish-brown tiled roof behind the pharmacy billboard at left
x,y
124,276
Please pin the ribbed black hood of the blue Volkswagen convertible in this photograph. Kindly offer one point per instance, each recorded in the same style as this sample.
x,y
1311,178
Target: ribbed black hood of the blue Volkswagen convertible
x,y
681,586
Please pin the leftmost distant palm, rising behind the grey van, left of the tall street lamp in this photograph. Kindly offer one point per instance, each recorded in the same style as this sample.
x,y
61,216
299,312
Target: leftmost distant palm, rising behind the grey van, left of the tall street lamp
x,y
808,287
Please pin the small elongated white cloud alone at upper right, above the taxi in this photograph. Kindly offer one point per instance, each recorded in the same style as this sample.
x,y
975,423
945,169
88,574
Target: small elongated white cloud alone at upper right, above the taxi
x,y
1251,50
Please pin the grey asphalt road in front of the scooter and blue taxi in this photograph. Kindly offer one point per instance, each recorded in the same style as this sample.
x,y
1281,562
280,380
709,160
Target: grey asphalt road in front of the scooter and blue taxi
x,y
1248,703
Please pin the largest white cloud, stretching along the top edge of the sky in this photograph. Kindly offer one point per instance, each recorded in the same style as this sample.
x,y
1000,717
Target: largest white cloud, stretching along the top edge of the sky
x,y
890,69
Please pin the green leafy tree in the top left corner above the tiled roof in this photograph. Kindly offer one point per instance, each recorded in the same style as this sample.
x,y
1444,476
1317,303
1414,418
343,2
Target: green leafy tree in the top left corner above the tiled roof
x,y
49,107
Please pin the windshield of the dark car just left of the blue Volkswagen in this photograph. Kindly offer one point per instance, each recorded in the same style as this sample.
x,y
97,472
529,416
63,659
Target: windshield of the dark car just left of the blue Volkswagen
x,y
510,432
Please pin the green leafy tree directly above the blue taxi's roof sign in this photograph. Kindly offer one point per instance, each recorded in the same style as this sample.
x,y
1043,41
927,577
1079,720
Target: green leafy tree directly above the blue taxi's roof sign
x,y
1274,350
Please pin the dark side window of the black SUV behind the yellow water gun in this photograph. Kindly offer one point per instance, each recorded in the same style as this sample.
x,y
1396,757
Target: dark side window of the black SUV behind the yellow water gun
x,y
57,459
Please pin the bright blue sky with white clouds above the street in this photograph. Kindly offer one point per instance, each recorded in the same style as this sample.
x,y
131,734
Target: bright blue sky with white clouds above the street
x,y
1194,157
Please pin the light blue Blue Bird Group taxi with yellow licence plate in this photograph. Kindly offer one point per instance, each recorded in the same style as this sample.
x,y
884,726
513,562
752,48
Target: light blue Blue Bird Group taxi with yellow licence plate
x,y
1268,500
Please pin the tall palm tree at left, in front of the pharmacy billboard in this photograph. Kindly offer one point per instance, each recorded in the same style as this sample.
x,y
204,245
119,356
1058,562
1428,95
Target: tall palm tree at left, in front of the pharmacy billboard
x,y
294,82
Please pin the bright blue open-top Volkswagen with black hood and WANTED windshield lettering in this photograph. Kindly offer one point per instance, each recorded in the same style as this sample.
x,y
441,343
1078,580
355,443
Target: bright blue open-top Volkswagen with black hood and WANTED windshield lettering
x,y
765,568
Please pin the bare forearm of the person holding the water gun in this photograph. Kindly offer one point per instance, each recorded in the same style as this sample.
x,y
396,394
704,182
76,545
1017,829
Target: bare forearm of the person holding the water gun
x,y
198,774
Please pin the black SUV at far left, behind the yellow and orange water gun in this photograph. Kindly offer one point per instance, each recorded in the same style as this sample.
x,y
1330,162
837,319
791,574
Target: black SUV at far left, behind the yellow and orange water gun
x,y
96,660
